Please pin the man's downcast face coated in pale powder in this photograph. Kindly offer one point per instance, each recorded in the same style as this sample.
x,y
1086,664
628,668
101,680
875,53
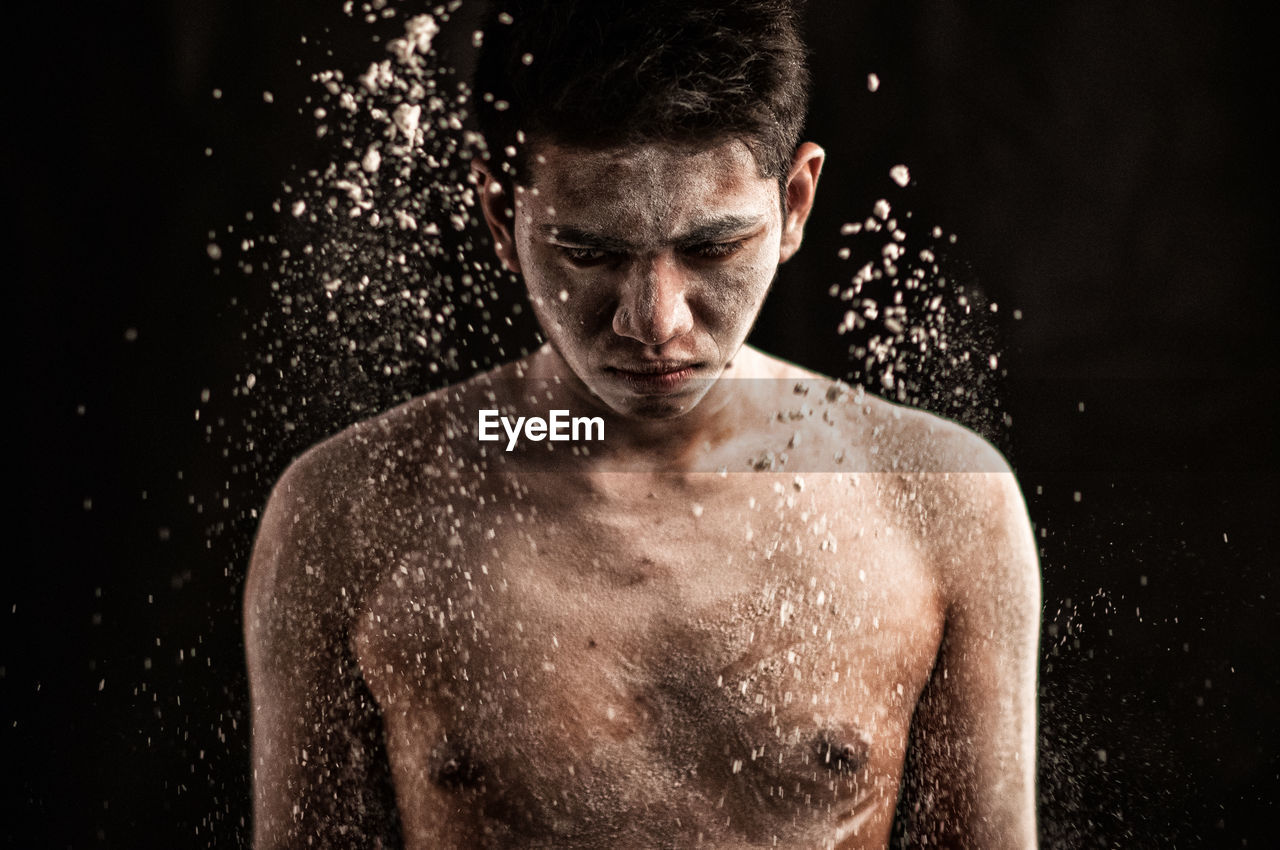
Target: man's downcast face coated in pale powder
x,y
648,266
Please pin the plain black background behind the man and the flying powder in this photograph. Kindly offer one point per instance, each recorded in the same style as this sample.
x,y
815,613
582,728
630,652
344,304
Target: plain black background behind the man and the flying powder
x,y
1107,168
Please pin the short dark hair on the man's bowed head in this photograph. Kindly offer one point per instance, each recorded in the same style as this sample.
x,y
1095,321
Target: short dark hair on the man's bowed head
x,y
609,74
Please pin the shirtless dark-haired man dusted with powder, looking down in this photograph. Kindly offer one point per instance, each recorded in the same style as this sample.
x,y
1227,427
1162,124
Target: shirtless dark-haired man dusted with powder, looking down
x,y
723,624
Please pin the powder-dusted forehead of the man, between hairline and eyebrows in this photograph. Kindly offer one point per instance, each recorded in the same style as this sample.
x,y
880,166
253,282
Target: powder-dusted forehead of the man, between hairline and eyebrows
x,y
650,189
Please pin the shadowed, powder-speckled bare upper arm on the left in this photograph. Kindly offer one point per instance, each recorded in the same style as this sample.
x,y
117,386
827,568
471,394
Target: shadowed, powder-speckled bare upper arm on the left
x,y
321,775
